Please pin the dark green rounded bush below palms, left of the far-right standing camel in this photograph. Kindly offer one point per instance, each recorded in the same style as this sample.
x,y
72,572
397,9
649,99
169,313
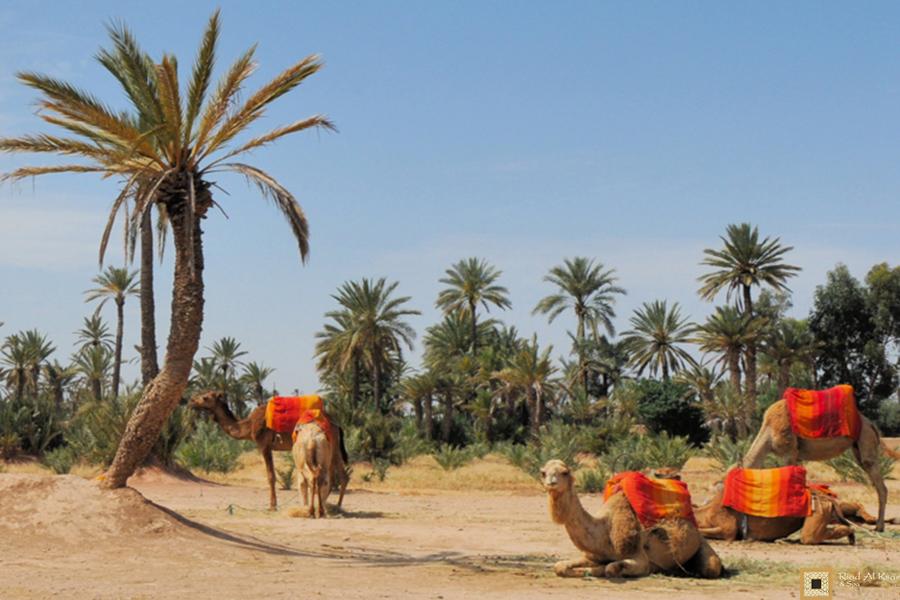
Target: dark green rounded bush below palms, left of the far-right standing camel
x,y
666,406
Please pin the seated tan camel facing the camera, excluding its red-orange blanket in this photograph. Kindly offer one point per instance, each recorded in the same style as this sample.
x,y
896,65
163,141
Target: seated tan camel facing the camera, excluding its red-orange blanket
x,y
615,544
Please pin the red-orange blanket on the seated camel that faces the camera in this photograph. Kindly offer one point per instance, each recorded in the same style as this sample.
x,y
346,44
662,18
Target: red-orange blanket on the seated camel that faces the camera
x,y
652,499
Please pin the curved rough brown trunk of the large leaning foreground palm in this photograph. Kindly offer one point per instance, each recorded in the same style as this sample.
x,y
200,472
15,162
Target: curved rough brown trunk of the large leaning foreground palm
x,y
164,392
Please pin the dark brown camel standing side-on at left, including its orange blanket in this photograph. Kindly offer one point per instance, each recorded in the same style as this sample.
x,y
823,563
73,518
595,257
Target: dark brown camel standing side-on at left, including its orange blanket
x,y
270,428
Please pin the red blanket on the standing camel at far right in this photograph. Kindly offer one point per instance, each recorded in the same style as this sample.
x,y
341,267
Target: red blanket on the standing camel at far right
x,y
823,413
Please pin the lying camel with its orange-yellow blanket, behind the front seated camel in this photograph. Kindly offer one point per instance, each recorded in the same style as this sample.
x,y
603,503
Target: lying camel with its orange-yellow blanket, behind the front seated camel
x,y
770,504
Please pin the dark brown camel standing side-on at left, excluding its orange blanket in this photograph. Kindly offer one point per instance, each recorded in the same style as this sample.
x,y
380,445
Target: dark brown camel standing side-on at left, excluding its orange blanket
x,y
254,429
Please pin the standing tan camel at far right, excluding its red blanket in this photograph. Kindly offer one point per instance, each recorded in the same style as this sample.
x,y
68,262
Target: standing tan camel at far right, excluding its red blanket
x,y
776,436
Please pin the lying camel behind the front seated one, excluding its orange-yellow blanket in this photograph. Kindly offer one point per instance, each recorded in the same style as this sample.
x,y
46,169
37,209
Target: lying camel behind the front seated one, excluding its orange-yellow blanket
x,y
720,522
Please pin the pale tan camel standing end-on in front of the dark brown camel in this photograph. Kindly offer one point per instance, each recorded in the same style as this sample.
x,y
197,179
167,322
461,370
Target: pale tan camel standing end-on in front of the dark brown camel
x,y
312,455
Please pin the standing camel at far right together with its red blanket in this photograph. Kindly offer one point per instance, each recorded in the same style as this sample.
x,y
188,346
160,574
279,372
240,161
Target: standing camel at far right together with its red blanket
x,y
820,425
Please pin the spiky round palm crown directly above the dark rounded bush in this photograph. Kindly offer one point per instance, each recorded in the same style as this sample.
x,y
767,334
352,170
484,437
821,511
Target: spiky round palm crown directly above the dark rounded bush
x,y
656,338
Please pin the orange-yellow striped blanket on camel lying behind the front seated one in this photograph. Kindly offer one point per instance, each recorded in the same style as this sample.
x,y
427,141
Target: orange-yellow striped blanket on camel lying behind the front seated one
x,y
770,493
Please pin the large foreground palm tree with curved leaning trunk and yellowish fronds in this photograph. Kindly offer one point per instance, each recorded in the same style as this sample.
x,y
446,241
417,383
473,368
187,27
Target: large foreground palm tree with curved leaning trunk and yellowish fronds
x,y
166,151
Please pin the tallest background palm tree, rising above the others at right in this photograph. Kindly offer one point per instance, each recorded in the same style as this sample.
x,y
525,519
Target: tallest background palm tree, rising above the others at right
x,y
746,261
